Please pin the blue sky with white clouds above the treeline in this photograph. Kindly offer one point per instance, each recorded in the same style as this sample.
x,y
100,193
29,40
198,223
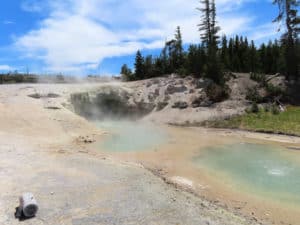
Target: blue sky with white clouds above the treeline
x,y
79,37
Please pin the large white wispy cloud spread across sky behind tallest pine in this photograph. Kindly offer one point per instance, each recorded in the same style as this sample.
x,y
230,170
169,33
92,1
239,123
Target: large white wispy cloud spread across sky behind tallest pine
x,y
79,34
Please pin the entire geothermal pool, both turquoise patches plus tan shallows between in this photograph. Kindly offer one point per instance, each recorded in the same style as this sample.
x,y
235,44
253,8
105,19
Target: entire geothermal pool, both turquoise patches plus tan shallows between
x,y
243,169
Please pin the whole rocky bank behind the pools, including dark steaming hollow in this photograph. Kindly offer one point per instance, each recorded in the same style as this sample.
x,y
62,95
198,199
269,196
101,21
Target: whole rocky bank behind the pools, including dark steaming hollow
x,y
171,100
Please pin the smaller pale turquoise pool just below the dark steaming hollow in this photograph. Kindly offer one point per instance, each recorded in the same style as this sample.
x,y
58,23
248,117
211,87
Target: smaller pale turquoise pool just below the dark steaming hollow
x,y
128,136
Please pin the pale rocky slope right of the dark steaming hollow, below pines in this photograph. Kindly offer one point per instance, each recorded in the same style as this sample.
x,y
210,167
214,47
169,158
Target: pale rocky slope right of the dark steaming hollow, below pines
x,y
185,101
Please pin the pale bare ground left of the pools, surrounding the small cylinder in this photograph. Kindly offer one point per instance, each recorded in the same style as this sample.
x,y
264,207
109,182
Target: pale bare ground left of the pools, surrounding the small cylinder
x,y
47,149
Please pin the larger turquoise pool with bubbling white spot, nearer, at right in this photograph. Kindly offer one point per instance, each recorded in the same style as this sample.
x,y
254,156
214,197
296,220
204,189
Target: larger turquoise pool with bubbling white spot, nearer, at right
x,y
261,169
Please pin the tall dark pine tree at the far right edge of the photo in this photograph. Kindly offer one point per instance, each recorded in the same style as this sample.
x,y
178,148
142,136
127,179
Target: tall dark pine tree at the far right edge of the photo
x,y
288,13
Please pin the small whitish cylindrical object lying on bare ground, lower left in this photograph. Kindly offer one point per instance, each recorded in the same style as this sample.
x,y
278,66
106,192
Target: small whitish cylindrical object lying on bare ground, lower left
x,y
28,205
